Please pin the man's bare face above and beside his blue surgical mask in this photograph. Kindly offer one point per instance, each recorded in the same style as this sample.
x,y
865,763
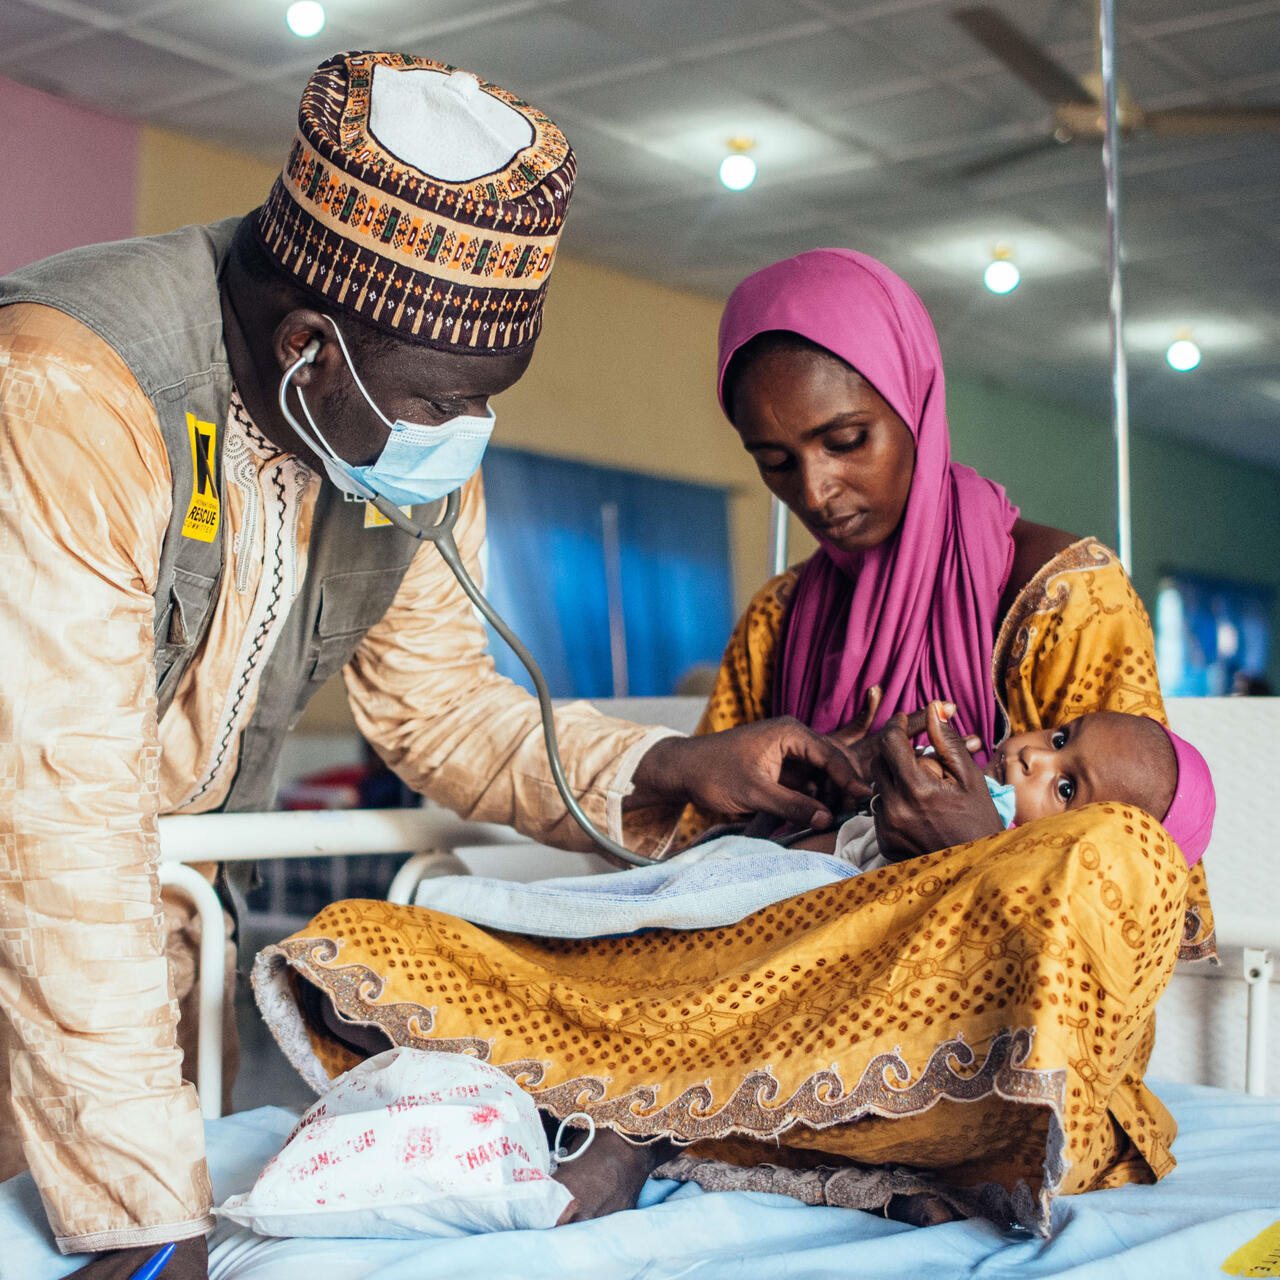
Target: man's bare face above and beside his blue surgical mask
x,y
406,382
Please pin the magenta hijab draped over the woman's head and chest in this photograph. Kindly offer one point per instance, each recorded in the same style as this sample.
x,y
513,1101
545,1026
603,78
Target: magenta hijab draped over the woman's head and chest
x,y
916,615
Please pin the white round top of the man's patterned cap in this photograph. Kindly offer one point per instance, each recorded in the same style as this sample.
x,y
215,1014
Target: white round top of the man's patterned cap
x,y
445,125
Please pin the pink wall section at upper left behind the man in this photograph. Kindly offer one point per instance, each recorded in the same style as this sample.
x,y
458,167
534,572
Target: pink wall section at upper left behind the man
x,y
68,176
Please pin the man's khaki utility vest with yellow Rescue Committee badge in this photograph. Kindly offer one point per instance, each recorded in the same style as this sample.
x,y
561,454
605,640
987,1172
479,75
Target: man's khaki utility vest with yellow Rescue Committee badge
x,y
157,303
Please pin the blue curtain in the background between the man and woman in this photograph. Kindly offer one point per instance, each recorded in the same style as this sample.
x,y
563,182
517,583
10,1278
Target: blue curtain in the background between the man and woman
x,y
547,572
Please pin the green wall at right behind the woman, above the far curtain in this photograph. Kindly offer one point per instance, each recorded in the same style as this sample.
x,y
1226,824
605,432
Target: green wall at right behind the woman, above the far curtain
x,y
1194,510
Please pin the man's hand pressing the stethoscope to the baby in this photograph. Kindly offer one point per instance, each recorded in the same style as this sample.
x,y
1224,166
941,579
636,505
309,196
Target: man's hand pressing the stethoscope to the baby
x,y
774,766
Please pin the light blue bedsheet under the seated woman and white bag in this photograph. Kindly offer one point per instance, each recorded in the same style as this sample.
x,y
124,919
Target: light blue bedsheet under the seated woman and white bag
x,y
1224,1194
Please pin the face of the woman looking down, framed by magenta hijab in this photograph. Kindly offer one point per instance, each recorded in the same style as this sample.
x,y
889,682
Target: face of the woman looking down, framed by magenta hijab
x,y
828,445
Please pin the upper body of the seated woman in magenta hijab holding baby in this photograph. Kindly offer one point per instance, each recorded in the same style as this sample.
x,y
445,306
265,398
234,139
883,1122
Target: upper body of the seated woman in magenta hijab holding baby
x,y
830,372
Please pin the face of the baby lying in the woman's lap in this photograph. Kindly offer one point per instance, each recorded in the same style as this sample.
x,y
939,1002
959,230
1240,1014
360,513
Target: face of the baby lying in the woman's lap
x,y
1105,756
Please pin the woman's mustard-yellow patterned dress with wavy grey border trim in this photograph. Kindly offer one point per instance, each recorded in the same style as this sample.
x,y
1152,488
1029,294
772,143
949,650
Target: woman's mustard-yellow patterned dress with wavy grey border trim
x,y
984,1014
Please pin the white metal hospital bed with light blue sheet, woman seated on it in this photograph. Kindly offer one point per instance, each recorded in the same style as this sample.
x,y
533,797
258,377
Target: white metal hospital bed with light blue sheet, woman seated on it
x,y
1212,1066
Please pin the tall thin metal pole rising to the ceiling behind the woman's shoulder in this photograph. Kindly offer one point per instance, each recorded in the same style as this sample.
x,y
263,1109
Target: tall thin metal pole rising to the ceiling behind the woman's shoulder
x,y
1119,369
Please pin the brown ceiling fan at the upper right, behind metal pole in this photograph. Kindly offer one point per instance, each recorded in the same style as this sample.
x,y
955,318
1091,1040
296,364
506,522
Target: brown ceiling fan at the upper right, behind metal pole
x,y
1078,102
